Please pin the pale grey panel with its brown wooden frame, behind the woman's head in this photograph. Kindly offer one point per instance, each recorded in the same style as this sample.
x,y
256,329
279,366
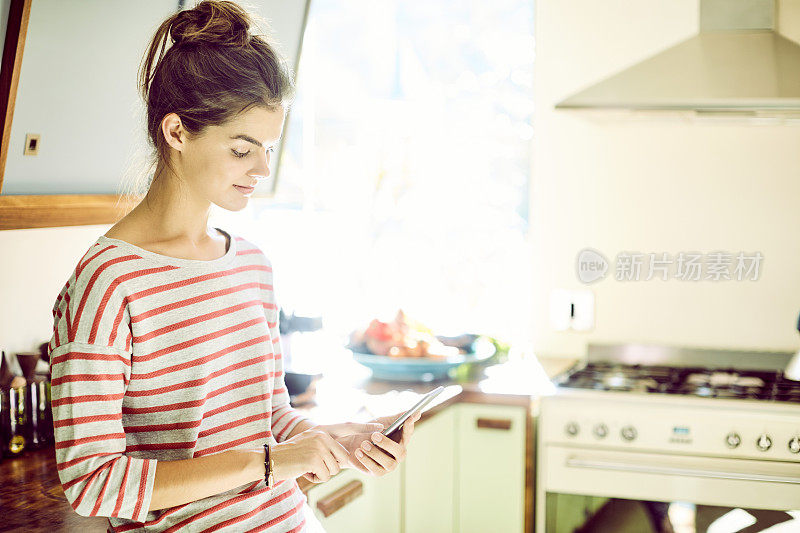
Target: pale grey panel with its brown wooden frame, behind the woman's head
x,y
73,123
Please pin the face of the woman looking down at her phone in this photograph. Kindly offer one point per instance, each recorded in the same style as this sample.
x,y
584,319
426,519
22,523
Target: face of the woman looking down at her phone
x,y
226,161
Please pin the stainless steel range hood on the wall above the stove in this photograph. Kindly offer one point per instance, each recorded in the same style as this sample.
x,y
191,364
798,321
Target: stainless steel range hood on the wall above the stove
x,y
737,63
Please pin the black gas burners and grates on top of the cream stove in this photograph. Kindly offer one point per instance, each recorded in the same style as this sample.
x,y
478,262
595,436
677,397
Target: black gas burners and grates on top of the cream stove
x,y
710,383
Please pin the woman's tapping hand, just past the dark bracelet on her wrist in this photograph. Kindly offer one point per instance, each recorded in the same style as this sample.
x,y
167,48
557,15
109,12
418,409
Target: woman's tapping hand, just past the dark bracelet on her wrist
x,y
313,452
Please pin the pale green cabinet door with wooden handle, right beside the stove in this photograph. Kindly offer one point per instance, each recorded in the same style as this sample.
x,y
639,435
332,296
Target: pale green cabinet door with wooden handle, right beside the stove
x,y
490,468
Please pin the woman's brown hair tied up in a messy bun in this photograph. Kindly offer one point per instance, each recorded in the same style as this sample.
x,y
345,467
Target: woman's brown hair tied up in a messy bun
x,y
215,68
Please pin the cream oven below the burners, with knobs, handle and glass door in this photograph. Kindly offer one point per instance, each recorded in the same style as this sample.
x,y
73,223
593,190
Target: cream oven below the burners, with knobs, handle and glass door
x,y
638,461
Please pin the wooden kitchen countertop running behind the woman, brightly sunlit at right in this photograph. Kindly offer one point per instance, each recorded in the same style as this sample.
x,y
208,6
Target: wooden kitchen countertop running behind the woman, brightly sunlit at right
x,y
31,492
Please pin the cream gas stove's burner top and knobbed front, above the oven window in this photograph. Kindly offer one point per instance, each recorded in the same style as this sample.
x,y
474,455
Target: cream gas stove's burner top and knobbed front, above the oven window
x,y
716,428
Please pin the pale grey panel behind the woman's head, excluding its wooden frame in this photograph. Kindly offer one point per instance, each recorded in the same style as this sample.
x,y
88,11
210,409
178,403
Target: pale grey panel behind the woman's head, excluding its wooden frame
x,y
80,94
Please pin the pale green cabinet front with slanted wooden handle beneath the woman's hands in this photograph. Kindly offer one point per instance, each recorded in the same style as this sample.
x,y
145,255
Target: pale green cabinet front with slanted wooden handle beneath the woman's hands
x,y
358,503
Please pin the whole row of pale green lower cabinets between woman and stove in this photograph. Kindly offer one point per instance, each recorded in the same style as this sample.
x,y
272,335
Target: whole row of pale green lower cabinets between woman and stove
x,y
464,473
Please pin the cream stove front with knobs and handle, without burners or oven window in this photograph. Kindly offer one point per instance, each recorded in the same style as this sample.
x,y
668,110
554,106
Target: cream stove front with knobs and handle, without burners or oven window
x,y
667,448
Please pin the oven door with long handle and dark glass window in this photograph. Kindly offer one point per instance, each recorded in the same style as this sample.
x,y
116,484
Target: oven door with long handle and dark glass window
x,y
581,485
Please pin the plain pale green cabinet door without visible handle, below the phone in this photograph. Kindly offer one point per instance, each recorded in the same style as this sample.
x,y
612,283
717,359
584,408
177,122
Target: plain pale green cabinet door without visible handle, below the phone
x,y
429,488
